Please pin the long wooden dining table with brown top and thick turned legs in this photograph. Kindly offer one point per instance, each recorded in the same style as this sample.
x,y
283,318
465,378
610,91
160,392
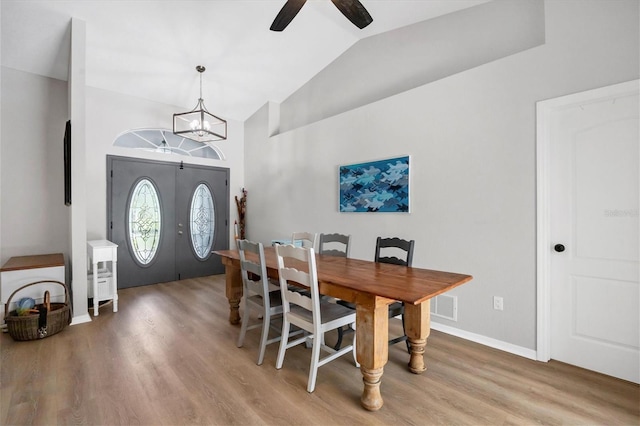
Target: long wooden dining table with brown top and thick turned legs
x,y
372,287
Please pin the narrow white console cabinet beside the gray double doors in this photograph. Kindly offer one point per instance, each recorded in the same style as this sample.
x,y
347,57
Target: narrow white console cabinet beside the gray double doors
x,y
102,258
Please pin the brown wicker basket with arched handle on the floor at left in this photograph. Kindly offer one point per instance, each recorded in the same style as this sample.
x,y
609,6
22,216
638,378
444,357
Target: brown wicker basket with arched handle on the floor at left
x,y
26,327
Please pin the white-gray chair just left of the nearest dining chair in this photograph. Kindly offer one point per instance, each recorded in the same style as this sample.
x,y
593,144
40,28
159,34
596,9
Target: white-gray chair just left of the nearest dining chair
x,y
257,297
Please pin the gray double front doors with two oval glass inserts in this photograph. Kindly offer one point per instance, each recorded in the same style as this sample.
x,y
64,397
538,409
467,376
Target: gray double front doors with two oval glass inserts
x,y
166,219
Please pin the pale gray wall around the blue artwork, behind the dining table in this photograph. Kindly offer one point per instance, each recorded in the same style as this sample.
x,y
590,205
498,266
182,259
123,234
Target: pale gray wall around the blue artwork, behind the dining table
x,y
471,137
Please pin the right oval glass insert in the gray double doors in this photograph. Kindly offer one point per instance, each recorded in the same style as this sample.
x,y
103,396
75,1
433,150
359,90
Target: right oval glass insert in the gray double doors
x,y
202,222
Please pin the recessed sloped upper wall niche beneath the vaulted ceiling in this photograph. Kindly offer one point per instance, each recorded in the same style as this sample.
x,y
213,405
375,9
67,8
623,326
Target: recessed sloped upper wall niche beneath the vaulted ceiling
x,y
393,62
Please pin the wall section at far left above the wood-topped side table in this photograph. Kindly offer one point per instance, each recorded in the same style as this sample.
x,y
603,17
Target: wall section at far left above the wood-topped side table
x,y
34,218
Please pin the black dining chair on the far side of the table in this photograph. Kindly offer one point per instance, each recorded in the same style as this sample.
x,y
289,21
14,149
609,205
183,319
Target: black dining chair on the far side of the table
x,y
387,251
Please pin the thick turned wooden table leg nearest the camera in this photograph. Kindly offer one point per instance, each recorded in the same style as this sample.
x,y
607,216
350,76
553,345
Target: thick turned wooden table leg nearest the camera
x,y
372,347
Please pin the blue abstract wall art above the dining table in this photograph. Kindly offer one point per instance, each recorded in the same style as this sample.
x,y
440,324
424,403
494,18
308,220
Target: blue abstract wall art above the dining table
x,y
376,186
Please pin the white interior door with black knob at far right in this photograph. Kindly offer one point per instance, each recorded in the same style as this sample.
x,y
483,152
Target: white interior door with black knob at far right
x,y
593,244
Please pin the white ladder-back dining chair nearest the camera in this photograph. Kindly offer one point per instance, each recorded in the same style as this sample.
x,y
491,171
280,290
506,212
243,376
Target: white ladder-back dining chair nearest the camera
x,y
311,314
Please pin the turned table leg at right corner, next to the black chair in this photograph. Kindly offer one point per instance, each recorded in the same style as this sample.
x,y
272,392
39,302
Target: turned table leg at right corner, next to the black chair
x,y
417,322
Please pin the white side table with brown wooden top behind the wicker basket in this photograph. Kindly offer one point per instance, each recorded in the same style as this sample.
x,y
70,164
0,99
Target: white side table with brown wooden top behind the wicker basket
x,y
22,270
